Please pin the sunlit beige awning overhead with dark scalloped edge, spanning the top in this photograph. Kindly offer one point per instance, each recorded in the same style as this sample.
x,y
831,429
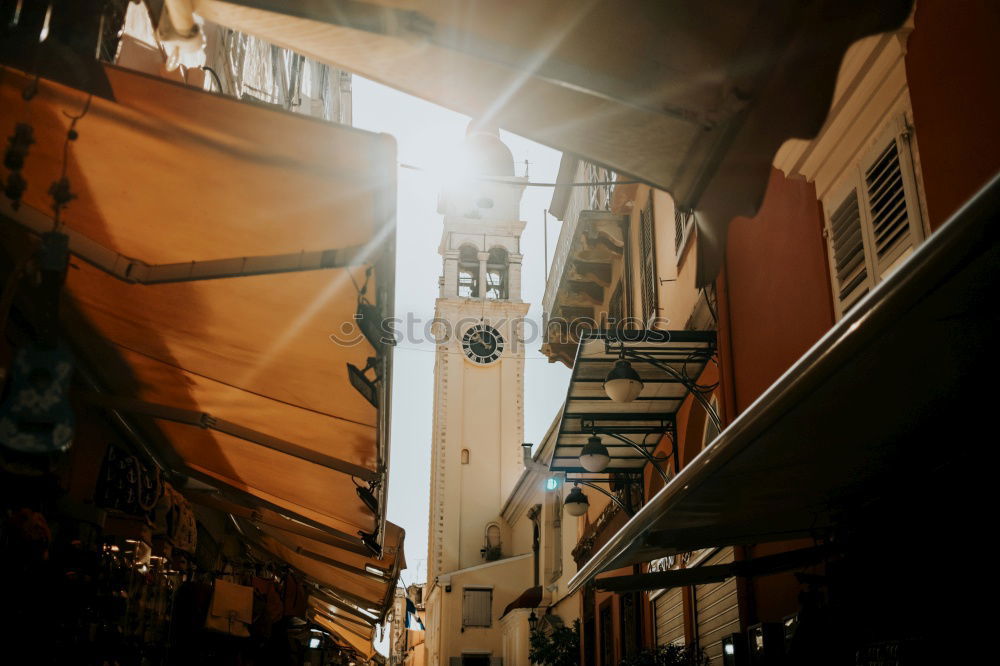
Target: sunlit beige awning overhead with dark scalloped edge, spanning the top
x,y
692,97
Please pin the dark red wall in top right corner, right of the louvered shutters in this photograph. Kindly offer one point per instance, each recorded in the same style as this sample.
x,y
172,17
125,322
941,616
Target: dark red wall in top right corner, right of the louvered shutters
x,y
953,70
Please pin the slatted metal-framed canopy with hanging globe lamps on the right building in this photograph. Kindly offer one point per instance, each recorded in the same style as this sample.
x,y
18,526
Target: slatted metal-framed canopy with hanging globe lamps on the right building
x,y
669,363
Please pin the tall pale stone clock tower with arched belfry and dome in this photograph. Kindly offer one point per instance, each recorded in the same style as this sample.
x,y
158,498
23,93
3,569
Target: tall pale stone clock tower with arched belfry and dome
x,y
478,423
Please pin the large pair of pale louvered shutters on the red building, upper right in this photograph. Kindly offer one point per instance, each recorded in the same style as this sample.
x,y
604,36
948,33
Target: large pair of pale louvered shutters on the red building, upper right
x,y
874,219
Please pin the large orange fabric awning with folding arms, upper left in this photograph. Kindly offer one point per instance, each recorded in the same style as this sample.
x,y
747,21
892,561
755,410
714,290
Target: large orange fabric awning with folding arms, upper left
x,y
218,246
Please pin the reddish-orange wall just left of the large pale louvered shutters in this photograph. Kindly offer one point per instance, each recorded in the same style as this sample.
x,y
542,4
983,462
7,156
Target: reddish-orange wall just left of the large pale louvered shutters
x,y
774,303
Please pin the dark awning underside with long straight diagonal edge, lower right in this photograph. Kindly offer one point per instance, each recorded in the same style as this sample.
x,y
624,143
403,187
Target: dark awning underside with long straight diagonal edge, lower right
x,y
868,416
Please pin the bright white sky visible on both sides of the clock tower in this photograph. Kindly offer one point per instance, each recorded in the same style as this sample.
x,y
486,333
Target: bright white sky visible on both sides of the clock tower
x,y
425,135
